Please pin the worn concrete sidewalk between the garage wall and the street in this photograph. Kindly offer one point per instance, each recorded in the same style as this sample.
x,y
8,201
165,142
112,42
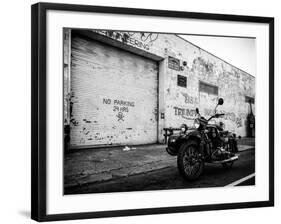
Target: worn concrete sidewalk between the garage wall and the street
x,y
102,164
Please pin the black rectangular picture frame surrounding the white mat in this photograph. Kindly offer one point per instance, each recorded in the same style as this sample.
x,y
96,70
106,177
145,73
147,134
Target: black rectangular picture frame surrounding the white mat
x,y
39,108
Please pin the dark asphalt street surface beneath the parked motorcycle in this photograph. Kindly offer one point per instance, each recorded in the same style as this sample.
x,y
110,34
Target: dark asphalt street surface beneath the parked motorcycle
x,y
169,178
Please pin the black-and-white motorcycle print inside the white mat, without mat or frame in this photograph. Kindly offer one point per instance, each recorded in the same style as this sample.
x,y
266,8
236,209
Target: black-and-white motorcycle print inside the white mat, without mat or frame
x,y
150,111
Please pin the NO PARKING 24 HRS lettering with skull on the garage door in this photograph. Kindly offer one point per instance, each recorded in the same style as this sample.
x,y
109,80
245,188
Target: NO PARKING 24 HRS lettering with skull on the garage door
x,y
121,107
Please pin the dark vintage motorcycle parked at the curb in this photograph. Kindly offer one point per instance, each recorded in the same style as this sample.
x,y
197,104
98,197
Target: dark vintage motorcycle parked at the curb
x,y
203,143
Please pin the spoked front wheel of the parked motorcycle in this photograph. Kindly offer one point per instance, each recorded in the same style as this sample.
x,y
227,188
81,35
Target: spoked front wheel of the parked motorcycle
x,y
190,164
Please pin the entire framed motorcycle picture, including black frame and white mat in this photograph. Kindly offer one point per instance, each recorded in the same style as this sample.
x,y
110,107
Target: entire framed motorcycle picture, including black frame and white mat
x,y
139,111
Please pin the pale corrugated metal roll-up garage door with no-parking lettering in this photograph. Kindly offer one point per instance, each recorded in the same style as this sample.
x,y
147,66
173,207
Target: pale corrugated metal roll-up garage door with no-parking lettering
x,y
113,95
